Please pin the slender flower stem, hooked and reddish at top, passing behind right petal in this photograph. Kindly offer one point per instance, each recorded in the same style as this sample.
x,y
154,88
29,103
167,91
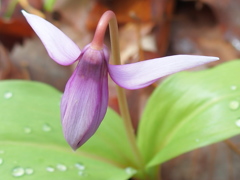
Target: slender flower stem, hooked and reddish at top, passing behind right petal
x,y
109,18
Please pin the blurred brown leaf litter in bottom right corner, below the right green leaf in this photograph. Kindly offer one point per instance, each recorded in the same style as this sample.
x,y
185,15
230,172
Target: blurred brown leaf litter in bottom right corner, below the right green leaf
x,y
215,162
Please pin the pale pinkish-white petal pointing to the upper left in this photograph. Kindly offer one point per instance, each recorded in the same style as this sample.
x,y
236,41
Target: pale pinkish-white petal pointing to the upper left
x,y
59,47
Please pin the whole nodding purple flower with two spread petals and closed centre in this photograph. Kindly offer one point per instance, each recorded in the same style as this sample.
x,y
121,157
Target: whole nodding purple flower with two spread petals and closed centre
x,y
85,99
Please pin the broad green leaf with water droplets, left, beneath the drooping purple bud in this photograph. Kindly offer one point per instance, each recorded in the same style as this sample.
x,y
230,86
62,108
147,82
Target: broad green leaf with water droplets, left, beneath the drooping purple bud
x,y
31,141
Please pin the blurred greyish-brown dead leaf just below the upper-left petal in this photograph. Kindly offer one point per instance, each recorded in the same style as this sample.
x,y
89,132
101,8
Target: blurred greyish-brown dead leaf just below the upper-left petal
x,y
33,57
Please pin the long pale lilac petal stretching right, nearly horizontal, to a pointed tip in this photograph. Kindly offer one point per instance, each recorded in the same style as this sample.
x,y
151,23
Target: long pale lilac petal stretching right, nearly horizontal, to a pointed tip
x,y
141,74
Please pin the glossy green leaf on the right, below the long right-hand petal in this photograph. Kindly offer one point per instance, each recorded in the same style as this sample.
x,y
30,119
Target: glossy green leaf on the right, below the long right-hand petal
x,y
190,110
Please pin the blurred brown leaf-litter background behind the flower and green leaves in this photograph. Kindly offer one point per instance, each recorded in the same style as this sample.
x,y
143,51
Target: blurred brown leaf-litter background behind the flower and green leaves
x,y
147,29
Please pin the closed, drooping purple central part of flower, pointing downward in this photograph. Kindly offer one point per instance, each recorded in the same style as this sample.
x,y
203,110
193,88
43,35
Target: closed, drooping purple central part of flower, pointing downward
x,y
85,99
